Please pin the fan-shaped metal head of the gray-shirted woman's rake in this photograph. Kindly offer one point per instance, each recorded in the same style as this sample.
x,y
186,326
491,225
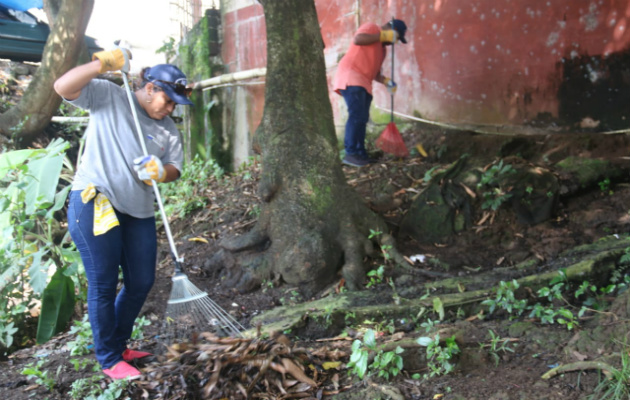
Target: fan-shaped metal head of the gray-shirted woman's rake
x,y
190,308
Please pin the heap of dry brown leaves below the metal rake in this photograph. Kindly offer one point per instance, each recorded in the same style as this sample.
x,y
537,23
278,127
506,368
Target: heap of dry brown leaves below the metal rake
x,y
239,368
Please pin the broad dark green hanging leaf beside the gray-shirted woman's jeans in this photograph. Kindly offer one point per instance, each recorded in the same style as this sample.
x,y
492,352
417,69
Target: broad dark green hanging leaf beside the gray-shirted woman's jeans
x,y
57,306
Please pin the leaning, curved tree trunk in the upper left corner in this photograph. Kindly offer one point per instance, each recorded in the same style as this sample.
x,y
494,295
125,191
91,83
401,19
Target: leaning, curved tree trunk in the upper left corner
x,y
32,114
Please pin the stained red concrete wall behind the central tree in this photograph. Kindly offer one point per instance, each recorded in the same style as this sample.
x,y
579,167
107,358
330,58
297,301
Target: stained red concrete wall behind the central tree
x,y
502,62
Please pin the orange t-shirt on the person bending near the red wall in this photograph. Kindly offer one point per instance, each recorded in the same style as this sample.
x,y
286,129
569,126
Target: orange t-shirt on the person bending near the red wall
x,y
361,64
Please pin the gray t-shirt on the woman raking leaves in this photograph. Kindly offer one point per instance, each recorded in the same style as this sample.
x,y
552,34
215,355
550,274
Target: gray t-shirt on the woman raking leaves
x,y
112,144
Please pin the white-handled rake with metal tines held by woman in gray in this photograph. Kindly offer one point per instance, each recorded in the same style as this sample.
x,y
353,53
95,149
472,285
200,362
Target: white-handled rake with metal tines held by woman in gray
x,y
188,306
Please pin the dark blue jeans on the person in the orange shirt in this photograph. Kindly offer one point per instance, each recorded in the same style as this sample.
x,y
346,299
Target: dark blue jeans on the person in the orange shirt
x,y
358,101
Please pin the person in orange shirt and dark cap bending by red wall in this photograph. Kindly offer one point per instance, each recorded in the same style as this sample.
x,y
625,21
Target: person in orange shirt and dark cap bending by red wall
x,y
357,69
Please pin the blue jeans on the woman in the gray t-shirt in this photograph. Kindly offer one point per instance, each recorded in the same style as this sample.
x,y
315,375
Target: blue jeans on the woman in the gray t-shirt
x,y
131,246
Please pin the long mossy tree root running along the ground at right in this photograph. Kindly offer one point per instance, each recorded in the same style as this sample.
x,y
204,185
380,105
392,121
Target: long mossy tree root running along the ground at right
x,y
336,308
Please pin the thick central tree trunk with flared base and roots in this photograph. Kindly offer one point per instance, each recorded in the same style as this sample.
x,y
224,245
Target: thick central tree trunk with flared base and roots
x,y
312,224
